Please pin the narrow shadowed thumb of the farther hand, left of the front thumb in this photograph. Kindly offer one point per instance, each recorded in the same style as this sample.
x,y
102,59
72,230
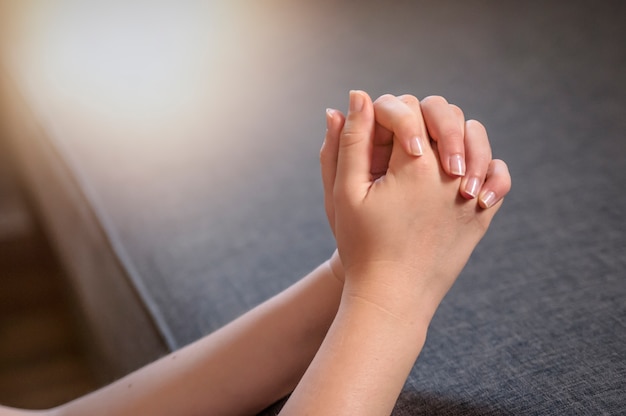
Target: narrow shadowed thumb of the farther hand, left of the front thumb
x,y
328,160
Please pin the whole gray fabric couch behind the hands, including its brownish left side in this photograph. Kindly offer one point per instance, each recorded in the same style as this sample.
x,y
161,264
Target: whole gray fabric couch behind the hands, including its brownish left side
x,y
181,196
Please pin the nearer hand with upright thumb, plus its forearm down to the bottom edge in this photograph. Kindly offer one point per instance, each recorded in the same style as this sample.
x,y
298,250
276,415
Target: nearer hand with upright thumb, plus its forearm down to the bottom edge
x,y
403,237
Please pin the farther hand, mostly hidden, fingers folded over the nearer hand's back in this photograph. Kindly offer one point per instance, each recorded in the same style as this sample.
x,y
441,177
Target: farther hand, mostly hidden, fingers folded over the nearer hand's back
x,y
463,148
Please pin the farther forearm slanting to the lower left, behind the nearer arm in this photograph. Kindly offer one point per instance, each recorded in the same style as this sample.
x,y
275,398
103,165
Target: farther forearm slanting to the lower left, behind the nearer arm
x,y
239,369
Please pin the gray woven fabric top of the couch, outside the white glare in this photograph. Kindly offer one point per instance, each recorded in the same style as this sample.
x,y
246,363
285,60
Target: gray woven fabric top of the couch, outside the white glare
x,y
211,220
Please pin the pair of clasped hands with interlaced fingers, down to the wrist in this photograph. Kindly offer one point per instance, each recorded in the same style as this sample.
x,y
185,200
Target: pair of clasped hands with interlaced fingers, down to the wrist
x,y
410,189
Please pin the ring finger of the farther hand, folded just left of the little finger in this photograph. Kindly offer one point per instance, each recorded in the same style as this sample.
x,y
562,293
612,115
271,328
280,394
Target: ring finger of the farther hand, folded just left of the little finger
x,y
477,156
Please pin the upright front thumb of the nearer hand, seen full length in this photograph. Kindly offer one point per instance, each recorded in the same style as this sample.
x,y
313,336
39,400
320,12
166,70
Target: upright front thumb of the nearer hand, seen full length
x,y
355,148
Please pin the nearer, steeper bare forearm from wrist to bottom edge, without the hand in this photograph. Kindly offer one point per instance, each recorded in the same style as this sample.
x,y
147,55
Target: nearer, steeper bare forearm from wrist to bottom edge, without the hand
x,y
364,361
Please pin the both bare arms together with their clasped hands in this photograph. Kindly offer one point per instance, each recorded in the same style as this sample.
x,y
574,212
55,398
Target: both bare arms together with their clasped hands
x,y
345,336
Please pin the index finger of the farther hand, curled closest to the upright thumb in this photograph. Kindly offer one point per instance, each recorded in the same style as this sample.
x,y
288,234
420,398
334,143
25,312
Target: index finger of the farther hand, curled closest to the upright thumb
x,y
400,119
